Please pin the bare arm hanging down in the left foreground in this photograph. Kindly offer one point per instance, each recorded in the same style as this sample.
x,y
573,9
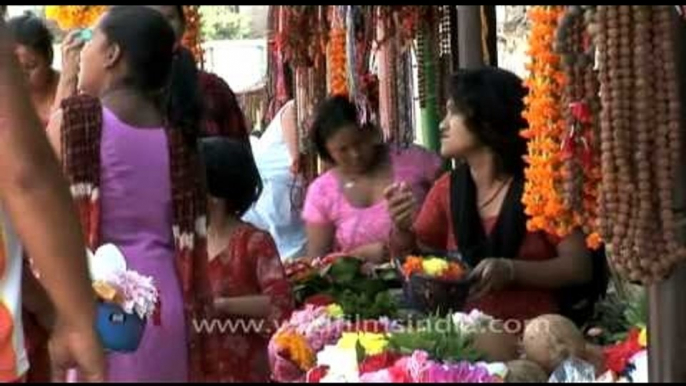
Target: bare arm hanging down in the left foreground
x,y
37,199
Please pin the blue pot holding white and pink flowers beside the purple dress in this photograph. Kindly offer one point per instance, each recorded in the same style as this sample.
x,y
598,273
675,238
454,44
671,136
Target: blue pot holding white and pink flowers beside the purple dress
x,y
126,299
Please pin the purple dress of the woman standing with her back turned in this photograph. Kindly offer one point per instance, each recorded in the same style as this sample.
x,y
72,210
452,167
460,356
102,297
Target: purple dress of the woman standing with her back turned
x,y
137,216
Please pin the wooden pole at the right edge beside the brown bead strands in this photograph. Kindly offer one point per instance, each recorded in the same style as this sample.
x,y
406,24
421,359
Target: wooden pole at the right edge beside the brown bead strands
x,y
667,300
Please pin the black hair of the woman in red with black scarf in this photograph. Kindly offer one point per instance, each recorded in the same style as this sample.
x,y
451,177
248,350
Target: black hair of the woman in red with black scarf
x,y
492,101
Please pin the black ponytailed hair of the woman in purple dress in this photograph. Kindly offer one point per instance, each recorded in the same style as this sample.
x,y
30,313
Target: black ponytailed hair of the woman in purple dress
x,y
156,65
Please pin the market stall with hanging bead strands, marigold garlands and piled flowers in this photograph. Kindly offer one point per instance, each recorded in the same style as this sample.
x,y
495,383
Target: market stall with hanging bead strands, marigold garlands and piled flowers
x,y
605,153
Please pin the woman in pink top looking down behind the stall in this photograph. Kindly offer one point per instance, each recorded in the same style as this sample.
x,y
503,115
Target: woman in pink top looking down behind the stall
x,y
345,211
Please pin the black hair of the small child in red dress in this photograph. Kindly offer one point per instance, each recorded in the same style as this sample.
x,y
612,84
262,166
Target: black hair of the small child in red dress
x,y
231,173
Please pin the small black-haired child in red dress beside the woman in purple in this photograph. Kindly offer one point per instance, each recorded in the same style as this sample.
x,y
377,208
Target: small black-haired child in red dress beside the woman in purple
x,y
246,275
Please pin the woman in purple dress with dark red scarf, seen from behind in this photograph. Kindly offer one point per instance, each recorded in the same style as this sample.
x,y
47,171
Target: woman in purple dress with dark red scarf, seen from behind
x,y
128,148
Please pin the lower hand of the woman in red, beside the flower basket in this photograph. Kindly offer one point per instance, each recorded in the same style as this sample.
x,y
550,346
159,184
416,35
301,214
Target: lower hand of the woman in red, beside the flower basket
x,y
491,275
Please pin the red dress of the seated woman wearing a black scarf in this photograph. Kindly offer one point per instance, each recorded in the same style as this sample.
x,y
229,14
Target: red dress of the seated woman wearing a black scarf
x,y
434,229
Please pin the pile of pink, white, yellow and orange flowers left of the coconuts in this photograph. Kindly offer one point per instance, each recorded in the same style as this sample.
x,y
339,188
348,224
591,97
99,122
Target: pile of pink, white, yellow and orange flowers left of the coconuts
x,y
318,345
